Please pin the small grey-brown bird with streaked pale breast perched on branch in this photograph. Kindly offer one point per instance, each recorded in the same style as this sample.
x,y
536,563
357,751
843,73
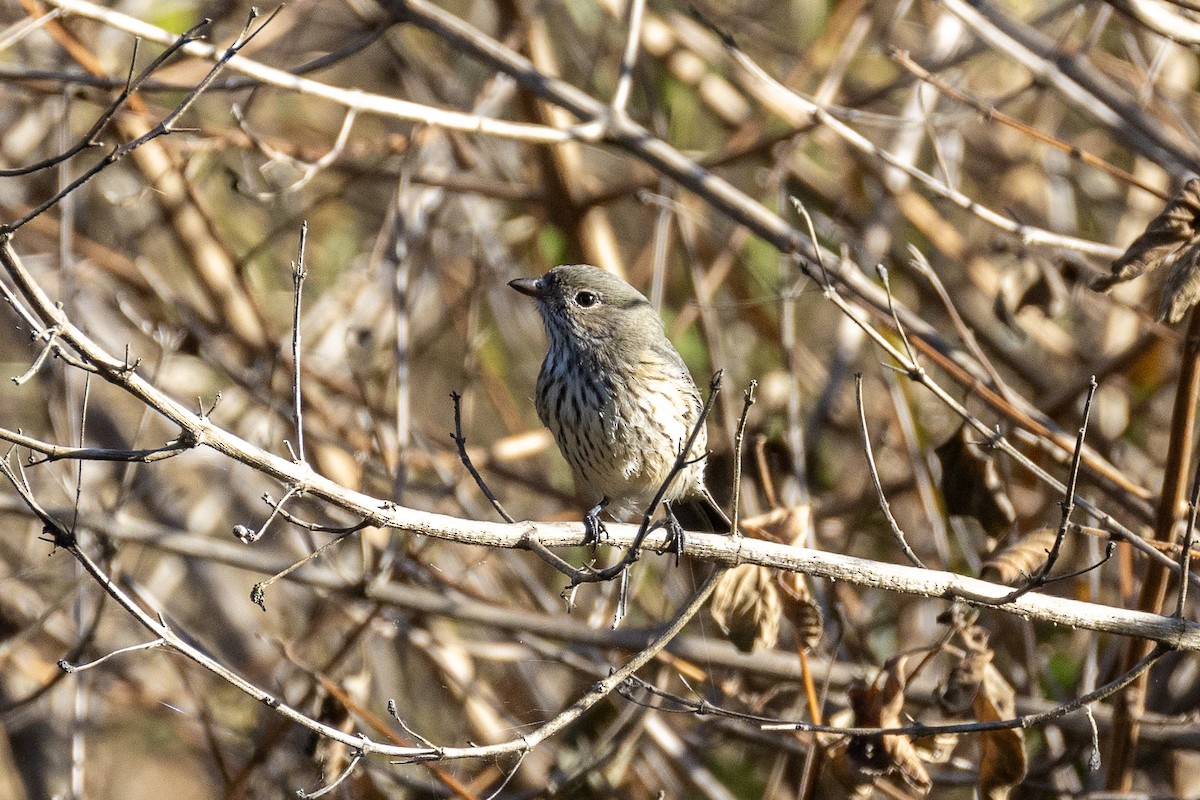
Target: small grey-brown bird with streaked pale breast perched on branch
x,y
617,398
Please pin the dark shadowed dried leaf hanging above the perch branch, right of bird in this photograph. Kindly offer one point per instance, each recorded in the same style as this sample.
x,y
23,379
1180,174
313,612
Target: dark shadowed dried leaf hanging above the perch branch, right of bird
x,y
971,484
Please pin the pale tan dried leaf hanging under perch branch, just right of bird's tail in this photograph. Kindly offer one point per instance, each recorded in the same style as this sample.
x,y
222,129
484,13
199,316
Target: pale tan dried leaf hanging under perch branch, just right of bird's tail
x,y
747,606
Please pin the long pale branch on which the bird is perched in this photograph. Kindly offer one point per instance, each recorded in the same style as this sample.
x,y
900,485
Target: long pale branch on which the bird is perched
x,y
527,536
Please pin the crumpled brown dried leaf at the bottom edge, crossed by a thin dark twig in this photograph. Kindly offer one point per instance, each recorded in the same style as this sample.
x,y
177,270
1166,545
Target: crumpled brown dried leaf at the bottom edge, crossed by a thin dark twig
x,y
879,707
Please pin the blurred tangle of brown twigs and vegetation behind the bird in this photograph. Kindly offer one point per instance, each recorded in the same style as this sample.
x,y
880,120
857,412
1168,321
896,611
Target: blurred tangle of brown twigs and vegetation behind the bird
x,y
182,252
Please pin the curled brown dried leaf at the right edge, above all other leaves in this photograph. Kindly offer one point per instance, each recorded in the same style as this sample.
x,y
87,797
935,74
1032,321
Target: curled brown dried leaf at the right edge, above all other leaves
x,y
1172,240
